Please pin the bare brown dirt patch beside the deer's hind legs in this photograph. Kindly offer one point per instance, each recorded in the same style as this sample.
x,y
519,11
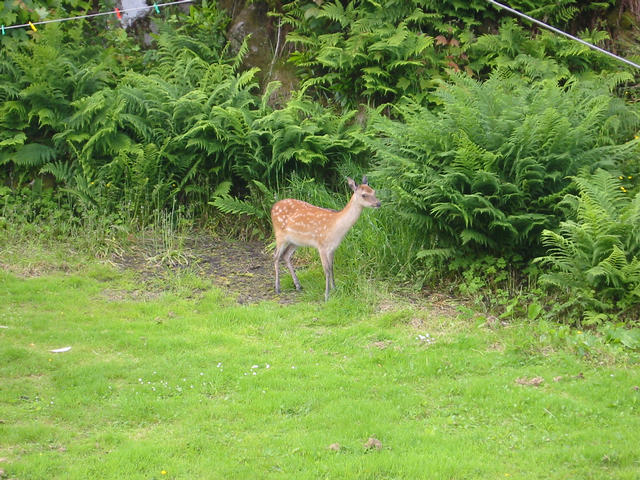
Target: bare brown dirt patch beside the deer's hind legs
x,y
244,269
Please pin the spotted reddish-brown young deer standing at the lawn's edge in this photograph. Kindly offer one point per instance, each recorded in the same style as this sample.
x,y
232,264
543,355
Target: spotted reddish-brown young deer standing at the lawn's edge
x,y
300,224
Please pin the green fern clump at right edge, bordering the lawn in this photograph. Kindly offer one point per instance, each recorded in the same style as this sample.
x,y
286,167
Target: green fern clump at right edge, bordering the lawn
x,y
594,257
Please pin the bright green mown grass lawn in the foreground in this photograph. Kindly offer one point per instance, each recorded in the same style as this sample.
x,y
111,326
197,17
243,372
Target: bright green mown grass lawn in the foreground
x,y
175,385
